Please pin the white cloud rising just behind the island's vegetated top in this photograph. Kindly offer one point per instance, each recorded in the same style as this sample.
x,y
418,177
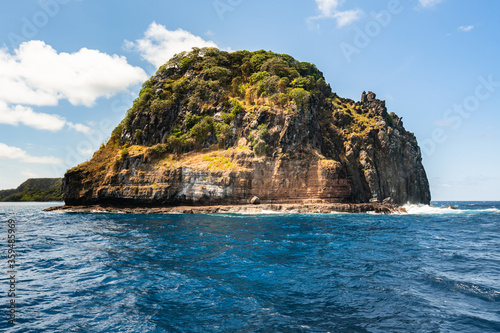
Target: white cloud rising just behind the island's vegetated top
x,y
160,44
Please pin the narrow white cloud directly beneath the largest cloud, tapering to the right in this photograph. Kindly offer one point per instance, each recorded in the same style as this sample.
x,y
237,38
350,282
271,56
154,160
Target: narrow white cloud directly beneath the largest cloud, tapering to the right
x,y
25,115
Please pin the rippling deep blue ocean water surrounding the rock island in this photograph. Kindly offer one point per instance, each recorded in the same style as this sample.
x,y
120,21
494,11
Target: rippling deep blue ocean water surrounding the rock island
x,y
433,270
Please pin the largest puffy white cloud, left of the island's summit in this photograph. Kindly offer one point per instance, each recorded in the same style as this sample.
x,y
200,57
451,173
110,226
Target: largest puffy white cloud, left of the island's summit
x,y
36,74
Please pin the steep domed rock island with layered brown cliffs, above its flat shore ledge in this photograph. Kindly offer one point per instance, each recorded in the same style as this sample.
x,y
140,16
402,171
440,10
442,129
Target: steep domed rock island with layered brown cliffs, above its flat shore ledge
x,y
213,127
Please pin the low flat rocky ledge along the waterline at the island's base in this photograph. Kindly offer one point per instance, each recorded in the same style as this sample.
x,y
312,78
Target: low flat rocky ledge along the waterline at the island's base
x,y
322,208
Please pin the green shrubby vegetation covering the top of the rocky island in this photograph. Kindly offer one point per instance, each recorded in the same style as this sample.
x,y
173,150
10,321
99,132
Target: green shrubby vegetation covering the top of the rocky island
x,y
203,92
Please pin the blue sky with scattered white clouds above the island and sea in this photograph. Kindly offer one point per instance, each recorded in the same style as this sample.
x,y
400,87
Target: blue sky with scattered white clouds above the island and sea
x,y
69,70
